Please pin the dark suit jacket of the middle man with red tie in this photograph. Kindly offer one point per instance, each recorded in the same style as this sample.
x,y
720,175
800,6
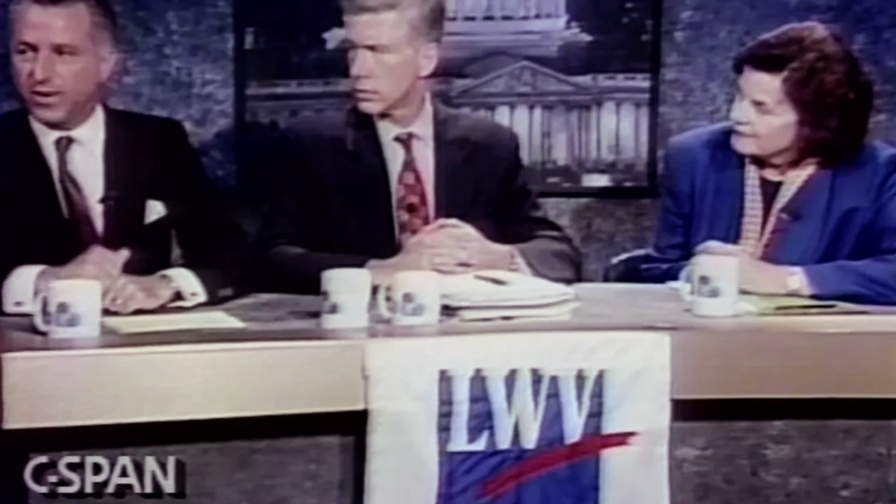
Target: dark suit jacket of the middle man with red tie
x,y
329,200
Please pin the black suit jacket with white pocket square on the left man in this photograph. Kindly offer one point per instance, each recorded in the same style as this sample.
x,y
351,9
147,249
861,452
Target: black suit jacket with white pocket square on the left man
x,y
146,158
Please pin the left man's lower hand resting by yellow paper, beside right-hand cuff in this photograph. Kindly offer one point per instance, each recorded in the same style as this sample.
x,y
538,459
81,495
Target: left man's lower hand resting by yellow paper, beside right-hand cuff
x,y
129,294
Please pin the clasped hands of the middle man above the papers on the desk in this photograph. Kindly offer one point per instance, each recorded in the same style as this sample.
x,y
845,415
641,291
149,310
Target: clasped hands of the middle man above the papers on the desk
x,y
452,246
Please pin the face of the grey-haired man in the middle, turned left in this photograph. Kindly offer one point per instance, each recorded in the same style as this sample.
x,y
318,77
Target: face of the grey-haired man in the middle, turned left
x,y
386,61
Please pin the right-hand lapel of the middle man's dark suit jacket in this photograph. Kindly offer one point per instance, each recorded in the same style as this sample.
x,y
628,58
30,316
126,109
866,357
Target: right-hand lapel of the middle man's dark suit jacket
x,y
453,184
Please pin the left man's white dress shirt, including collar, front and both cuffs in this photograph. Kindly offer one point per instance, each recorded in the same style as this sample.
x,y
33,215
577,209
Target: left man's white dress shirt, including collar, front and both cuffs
x,y
87,165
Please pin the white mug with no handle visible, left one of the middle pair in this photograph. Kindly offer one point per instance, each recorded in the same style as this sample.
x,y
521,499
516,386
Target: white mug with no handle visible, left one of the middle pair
x,y
346,293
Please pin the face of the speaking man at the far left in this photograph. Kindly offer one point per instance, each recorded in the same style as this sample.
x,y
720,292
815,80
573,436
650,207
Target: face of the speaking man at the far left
x,y
60,62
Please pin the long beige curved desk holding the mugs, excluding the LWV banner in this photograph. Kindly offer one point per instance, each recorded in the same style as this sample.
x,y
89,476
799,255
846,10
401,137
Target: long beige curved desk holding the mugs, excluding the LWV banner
x,y
282,363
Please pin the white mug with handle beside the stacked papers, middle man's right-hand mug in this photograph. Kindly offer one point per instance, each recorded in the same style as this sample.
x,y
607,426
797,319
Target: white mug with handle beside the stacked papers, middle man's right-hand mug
x,y
411,298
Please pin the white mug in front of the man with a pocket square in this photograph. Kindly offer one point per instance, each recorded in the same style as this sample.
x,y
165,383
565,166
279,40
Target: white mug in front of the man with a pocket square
x,y
70,309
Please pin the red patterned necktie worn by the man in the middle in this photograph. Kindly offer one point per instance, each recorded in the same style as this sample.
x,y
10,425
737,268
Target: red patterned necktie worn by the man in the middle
x,y
411,207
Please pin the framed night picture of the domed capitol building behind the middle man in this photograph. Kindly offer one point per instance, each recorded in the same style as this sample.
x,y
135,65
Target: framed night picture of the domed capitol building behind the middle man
x,y
526,64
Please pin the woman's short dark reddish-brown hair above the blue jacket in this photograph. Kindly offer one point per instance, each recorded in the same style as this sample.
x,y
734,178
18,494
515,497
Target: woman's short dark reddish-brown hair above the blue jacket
x,y
825,81
